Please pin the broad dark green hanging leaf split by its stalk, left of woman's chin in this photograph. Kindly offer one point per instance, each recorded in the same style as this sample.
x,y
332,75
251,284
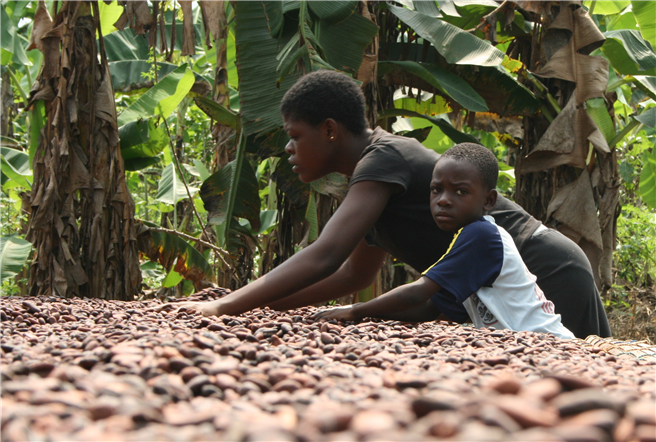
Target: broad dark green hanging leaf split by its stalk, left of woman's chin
x,y
215,191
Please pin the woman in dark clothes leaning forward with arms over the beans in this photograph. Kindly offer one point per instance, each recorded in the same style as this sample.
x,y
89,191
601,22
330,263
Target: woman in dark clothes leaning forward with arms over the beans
x,y
385,211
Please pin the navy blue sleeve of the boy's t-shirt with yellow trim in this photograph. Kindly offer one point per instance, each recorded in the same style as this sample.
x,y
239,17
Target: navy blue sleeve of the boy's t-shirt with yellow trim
x,y
474,260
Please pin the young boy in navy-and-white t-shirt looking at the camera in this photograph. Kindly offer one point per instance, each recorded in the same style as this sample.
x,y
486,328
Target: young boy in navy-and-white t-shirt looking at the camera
x,y
482,269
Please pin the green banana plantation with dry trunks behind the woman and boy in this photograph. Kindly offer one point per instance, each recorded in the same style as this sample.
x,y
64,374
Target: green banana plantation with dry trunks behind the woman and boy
x,y
141,150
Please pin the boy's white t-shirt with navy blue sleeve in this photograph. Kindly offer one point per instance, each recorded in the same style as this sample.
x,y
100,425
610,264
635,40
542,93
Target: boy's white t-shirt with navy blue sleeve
x,y
483,271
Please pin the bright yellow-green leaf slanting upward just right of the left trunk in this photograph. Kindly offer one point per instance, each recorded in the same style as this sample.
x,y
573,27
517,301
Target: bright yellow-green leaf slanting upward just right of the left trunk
x,y
162,98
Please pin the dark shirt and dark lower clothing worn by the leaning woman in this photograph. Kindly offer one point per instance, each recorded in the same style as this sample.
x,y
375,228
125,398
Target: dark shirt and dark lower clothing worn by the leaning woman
x,y
407,231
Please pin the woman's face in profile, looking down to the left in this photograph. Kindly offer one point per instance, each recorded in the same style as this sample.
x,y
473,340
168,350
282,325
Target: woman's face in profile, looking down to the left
x,y
309,149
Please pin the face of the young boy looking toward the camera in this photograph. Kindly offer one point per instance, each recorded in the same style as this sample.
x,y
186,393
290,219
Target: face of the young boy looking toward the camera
x,y
458,195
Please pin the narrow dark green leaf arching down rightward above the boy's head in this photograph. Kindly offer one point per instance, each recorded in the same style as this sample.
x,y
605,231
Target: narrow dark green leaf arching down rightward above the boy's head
x,y
440,78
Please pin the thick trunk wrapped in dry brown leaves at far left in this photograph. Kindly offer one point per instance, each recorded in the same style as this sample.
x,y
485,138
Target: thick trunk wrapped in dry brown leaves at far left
x,y
82,223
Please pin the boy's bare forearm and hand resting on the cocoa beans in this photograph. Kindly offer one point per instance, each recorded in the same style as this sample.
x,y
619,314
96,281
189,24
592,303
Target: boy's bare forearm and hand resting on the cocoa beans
x,y
411,296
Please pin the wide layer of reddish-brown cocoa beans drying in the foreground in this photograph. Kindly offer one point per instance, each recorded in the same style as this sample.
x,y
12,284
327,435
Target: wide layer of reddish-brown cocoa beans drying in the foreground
x,y
95,370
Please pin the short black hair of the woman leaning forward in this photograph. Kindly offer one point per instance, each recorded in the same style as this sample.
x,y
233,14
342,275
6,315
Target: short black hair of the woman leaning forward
x,y
324,94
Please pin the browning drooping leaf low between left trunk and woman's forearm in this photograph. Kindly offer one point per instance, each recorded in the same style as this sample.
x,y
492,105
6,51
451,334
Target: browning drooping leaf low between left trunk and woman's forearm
x,y
174,252
